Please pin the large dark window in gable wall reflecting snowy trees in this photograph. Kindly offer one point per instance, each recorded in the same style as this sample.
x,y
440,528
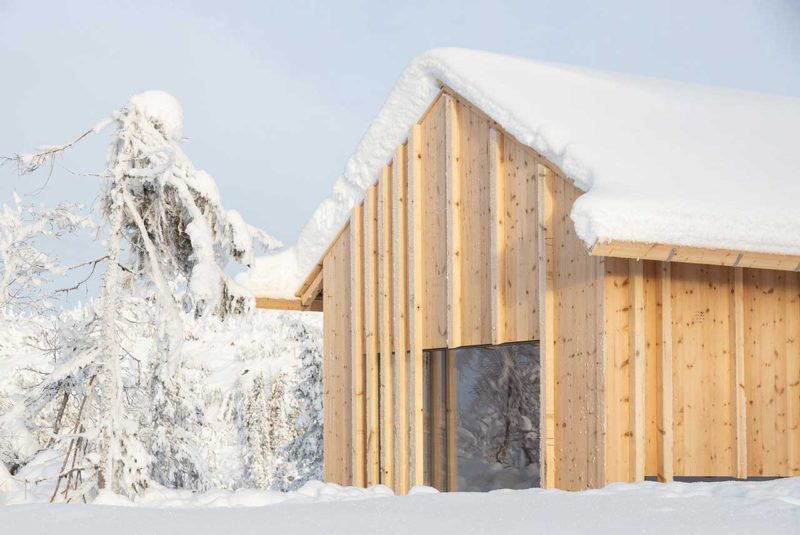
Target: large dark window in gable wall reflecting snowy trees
x,y
482,417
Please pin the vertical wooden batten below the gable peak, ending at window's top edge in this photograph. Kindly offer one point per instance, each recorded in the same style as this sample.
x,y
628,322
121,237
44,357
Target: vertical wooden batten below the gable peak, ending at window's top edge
x,y
453,187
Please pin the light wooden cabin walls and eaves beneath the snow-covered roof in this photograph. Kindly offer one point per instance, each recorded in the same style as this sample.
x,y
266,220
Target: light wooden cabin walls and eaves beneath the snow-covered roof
x,y
653,360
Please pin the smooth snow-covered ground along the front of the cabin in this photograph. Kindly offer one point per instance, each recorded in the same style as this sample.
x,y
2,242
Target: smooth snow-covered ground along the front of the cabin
x,y
729,508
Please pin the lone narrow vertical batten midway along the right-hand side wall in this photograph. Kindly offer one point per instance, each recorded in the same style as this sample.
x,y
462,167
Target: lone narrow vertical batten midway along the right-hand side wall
x,y
665,472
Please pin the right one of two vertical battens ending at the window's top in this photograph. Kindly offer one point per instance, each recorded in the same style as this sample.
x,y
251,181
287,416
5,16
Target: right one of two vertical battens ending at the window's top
x,y
497,180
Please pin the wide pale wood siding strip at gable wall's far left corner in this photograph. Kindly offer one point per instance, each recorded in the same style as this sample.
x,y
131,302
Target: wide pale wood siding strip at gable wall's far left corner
x,y
337,380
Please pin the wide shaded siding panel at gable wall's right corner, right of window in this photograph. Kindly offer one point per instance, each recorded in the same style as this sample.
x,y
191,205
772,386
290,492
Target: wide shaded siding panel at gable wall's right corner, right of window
x,y
578,353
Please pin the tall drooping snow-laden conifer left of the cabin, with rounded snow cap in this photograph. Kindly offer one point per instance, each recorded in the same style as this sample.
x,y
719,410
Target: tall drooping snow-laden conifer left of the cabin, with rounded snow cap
x,y
167,235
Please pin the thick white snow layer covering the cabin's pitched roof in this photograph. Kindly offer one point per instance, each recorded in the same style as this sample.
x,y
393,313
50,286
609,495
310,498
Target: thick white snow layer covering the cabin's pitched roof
x,y
660,161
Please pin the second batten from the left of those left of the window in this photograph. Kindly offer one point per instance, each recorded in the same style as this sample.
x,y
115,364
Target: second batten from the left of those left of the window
x,y
371,335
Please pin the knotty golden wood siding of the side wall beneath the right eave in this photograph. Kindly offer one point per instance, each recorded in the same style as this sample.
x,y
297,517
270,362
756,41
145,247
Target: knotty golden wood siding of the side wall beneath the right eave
x,y
722,371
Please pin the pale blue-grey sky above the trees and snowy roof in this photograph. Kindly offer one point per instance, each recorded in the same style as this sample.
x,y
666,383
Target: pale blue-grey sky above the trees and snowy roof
x,y
276,95
